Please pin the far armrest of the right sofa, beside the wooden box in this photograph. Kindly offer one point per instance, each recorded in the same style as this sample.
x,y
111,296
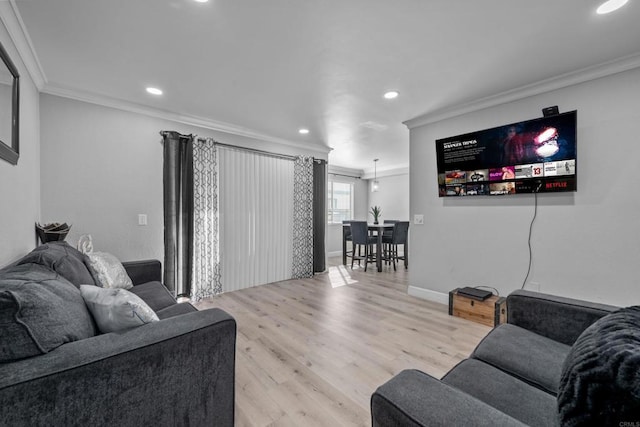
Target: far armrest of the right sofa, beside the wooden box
x,y
558,318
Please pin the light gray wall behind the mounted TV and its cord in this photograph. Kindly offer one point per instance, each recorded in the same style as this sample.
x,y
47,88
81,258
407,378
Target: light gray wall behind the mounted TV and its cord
x,y
585,244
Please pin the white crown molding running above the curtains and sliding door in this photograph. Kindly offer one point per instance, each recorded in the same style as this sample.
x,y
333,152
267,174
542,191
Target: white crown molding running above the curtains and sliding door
x,y
201,122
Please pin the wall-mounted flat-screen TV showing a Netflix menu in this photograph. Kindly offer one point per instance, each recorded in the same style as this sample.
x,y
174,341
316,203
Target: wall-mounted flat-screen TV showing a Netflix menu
x,y
448,187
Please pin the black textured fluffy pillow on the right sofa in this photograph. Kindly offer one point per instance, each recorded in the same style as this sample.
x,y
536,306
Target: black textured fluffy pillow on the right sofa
x,y
600,383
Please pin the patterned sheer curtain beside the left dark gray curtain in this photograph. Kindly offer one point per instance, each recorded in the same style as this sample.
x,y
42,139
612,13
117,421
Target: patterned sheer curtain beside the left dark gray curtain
x,y
206,246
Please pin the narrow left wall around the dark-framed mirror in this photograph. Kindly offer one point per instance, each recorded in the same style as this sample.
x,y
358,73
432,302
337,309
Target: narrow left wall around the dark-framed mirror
x,y
20,184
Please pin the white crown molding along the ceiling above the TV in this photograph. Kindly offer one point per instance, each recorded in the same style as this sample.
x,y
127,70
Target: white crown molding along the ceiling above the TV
x,y
554,83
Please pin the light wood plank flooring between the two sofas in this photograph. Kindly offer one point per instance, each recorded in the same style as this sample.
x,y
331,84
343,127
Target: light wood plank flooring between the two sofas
x,y
311,352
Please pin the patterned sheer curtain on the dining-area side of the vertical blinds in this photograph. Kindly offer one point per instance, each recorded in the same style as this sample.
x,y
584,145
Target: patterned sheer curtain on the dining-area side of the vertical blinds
x,y
303,218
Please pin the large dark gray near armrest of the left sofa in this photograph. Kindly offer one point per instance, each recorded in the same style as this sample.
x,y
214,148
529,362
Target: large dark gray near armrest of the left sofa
x,y
178,371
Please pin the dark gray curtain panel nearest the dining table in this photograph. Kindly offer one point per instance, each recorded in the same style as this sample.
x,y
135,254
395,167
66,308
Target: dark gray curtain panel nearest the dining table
x,y
319,214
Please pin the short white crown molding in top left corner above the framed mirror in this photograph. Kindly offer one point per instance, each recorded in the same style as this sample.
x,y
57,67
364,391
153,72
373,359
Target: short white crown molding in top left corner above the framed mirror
x,y
10,17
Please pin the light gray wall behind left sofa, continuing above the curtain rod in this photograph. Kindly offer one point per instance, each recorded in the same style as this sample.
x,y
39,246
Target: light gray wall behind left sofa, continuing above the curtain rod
x,y
103,166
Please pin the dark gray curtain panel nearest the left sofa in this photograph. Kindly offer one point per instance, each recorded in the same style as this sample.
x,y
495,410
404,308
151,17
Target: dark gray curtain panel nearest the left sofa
x,y
178,211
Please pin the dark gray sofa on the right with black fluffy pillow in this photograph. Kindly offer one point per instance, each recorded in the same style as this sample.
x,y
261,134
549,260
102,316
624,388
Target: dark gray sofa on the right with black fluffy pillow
x,y
557,362
